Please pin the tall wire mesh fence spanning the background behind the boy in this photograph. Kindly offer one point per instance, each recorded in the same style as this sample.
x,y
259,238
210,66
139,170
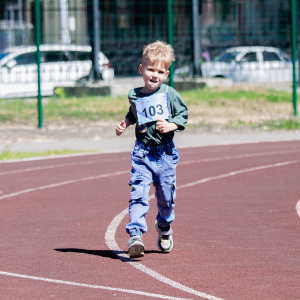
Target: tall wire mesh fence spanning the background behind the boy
x,y
90,58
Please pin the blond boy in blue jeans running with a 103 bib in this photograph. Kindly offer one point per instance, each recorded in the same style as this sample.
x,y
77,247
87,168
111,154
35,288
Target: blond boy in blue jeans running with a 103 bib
x,y
158,111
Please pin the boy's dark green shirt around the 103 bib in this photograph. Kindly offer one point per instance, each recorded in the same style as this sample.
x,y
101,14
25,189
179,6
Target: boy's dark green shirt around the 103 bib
x,y
178,115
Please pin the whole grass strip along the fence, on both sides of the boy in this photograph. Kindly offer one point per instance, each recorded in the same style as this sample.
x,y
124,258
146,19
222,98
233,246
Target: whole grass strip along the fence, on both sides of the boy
x,y
205,106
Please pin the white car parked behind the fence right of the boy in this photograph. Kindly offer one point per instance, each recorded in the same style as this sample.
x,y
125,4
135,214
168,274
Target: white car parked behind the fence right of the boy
x,y
251,64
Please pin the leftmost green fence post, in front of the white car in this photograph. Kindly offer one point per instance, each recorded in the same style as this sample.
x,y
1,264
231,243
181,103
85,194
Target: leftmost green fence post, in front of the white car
x,y
38,60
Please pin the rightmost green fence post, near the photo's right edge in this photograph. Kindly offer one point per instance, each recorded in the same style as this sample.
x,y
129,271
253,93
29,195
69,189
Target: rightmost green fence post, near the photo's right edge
x,y
294,53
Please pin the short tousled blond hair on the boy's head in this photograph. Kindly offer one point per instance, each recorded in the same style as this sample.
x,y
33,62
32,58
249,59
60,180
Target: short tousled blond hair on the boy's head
x,y
159,52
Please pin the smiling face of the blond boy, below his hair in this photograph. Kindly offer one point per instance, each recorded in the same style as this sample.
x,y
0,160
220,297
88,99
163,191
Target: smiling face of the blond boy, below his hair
x,y
153,75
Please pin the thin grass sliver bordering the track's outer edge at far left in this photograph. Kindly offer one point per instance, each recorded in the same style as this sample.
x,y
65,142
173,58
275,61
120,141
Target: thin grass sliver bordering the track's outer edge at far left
x,y
8,155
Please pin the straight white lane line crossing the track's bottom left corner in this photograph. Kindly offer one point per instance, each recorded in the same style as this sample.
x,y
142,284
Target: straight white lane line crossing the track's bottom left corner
x,y
91,286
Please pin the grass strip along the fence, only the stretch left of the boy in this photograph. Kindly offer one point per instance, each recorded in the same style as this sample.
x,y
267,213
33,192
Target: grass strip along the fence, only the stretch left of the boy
x,y
66,111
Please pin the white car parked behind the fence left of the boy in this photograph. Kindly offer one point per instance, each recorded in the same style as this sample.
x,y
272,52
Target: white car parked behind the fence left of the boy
x,y
61,65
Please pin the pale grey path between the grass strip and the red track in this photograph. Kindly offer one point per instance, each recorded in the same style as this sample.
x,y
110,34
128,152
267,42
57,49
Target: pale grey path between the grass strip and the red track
x,y
103,138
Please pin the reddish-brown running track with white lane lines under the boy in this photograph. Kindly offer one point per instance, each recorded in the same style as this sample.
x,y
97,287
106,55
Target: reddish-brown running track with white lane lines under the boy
x,y
236,232
